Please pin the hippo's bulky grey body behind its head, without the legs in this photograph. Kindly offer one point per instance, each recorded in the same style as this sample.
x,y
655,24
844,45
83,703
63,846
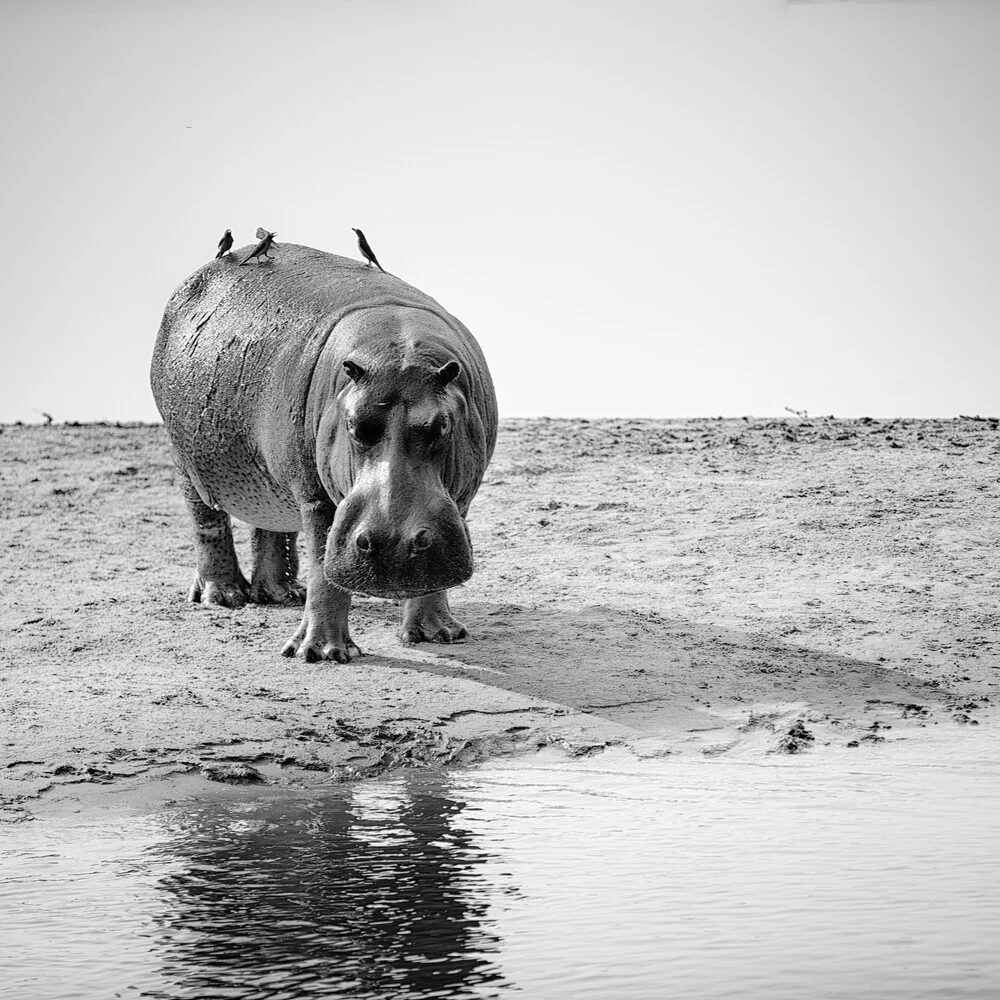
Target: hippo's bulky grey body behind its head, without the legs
x,y
235,360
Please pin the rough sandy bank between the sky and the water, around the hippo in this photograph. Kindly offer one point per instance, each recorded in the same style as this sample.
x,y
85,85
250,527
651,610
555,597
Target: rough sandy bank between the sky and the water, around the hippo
x,y
710,586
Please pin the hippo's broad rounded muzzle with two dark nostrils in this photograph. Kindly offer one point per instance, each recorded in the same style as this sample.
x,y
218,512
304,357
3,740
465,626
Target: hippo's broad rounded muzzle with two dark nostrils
x,y
397,534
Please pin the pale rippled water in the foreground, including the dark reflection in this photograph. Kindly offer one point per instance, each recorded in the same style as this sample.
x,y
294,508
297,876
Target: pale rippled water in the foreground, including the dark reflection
x,y
868,873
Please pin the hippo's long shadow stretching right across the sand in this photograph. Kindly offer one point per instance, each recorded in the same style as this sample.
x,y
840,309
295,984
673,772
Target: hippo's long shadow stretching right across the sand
x,y
653,673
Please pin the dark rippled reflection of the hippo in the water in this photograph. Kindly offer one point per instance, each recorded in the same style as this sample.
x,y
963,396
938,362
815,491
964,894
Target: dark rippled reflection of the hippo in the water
x,y
364,896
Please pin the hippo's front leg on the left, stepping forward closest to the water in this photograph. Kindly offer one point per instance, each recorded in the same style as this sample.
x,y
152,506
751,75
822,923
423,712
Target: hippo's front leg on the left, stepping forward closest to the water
x,y
323,634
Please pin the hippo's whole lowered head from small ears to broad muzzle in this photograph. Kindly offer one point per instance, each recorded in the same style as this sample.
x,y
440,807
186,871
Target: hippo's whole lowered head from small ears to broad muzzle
x,y
395,459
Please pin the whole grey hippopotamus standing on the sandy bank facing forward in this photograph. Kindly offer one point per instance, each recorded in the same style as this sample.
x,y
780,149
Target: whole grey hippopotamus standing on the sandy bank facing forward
x,y
312,393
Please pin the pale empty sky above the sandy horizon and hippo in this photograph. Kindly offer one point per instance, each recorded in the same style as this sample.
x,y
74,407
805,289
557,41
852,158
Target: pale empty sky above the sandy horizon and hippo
x,y
664,208
